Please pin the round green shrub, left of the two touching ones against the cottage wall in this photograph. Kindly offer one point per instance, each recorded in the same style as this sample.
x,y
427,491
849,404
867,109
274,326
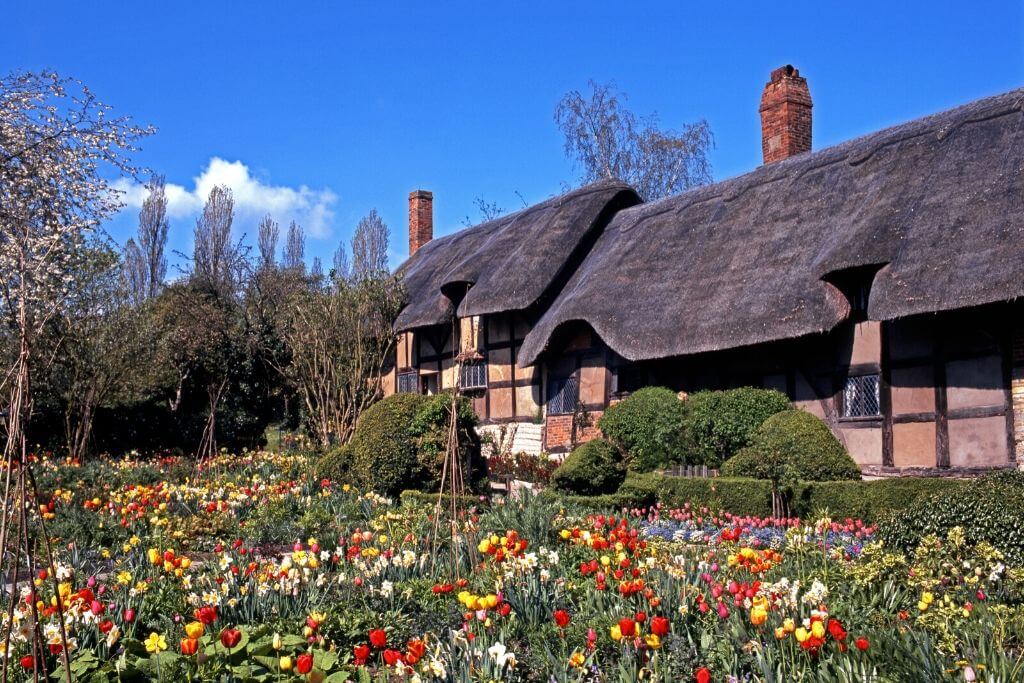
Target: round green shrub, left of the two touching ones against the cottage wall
x,y
648,428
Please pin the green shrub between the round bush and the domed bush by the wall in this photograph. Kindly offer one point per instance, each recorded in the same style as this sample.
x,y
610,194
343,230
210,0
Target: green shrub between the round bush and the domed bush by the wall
x,y
720,423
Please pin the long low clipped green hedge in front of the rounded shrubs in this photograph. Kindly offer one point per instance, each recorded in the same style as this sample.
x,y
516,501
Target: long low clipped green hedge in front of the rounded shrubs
x,y
869,501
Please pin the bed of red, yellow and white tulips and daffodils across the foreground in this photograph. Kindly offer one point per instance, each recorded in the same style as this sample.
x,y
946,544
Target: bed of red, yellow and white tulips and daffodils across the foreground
x,y
253,570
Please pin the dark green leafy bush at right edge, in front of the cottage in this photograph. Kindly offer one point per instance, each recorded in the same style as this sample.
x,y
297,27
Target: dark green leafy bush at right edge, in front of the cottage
x,y
990,509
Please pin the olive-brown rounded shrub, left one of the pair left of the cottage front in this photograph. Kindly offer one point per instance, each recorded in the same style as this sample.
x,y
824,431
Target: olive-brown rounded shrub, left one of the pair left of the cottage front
x,y
385,450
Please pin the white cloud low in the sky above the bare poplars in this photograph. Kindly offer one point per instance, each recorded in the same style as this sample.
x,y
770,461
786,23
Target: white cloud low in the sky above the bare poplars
x,y
313,209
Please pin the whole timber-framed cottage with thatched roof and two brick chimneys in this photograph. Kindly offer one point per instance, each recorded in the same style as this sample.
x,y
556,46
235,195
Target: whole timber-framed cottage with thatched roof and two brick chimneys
x,y
878,283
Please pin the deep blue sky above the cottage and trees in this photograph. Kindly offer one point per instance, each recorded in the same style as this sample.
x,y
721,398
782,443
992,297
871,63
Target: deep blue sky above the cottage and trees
x,y
322,111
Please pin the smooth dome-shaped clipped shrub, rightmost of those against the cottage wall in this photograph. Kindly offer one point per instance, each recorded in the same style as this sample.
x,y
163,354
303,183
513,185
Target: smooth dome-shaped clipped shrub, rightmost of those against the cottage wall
x,y
794,445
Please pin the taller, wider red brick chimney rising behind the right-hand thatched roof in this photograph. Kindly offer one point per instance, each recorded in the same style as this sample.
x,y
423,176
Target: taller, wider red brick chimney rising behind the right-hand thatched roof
x,y
786,115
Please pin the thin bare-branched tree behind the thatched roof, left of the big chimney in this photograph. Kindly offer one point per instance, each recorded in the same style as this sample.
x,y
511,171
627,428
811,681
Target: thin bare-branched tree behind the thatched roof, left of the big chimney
x,y
608,141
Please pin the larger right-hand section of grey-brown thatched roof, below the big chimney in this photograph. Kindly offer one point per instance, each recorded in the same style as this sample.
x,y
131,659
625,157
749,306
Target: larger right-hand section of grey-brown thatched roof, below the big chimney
x,y
937,204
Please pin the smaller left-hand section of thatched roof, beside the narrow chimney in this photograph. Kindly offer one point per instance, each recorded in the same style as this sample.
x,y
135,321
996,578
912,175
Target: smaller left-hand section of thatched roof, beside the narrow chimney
x,y
511,262
